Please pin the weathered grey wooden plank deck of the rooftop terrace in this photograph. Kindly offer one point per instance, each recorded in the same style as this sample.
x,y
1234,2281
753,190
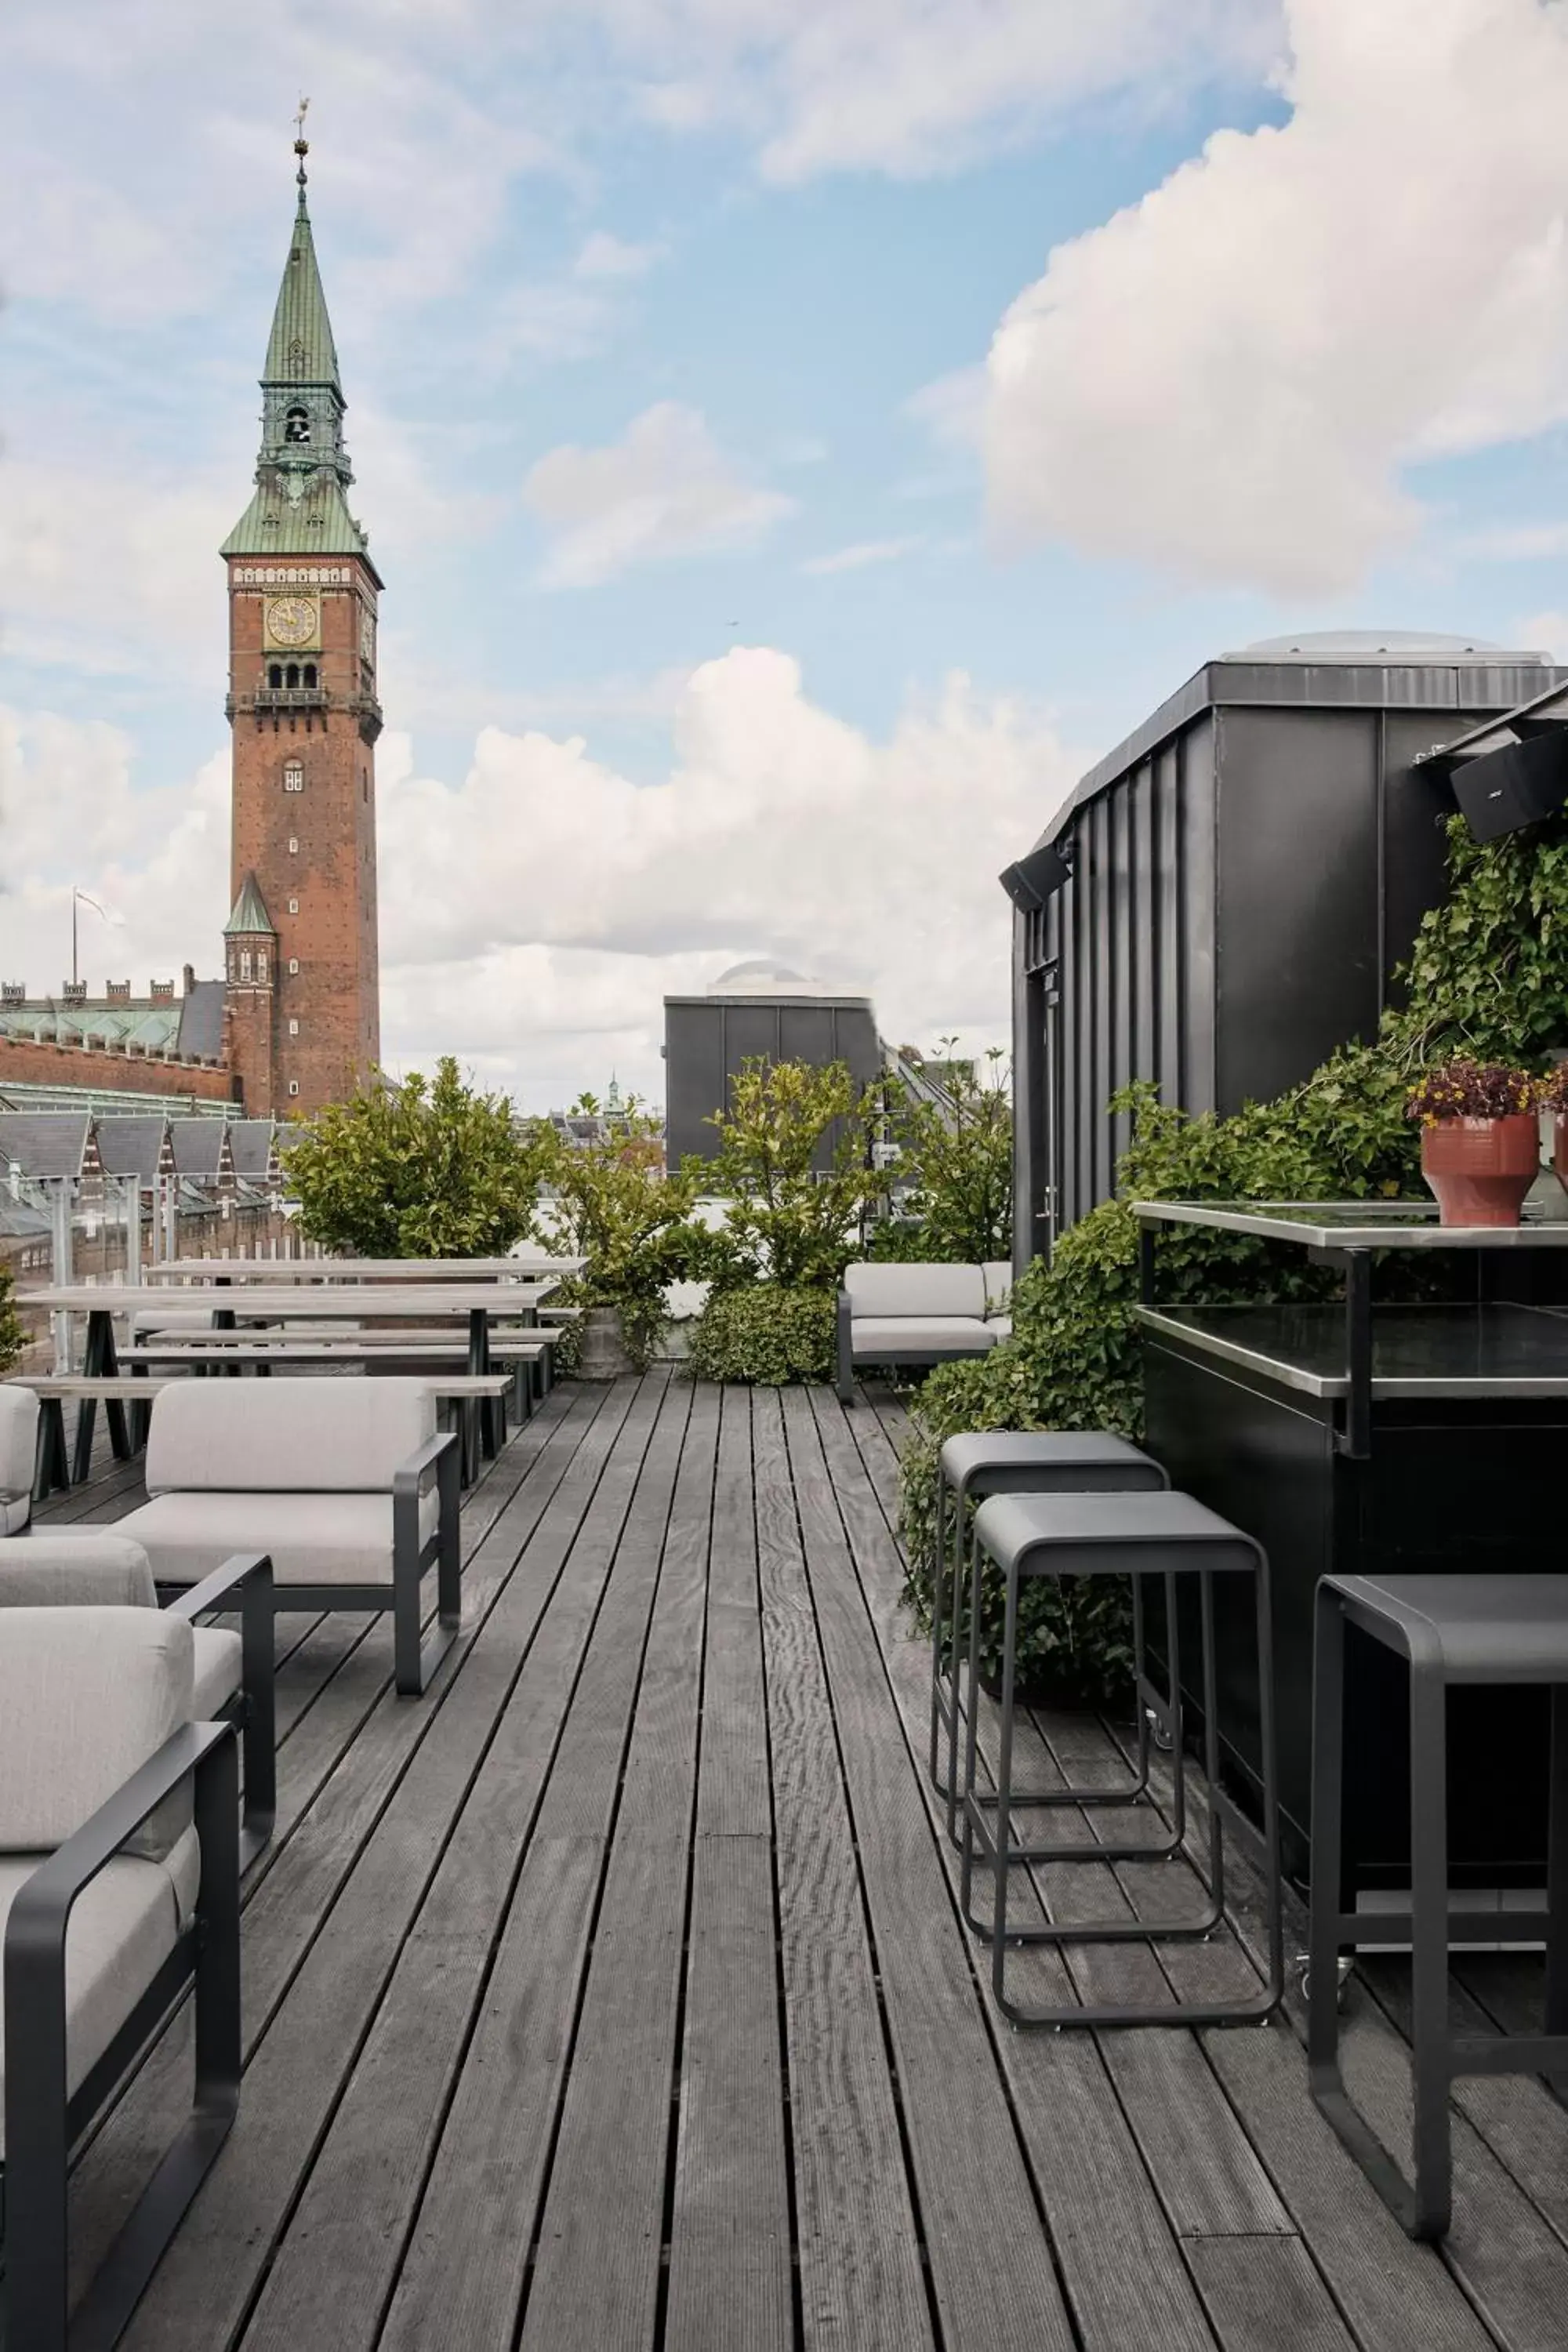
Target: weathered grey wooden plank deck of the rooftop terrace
x,y
615,1996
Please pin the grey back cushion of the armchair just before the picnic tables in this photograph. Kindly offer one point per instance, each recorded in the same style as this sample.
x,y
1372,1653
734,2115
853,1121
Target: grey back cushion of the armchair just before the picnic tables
x,y
286,1436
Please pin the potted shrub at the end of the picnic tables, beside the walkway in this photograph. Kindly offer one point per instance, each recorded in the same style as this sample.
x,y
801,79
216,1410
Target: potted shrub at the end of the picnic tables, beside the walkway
x,y
615,1208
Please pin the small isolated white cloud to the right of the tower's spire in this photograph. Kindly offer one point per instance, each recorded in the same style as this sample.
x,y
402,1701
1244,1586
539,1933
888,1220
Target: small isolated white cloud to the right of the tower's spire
x,y
666,488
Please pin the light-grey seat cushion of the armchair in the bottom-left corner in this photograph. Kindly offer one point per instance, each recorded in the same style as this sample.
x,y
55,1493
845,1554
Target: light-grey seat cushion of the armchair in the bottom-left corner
x,y
123,1927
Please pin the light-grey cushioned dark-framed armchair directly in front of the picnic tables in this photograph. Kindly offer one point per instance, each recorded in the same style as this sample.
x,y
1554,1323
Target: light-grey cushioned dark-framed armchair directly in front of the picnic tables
x,y
344,1485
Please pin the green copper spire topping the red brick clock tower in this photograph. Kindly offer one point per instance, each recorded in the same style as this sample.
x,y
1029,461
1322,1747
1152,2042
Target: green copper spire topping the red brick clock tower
x,y
302,472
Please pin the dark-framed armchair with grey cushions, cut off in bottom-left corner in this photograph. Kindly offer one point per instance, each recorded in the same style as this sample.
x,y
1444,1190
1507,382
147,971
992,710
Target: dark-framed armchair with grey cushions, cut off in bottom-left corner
x,y
119,1887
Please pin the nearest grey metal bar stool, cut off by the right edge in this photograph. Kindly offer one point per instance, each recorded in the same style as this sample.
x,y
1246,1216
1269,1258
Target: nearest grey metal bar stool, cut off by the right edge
x,y
1449,1631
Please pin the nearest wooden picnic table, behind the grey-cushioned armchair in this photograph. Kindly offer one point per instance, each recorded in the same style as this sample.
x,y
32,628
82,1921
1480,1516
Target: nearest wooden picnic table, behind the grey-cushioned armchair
x,y
100,1302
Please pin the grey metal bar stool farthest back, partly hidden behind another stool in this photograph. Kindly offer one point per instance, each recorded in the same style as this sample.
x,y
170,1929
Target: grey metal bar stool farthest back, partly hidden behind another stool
x,y
1033,1462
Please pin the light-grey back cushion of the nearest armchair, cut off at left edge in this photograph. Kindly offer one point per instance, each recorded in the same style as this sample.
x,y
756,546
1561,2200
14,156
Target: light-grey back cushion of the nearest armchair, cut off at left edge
x,y
86,1699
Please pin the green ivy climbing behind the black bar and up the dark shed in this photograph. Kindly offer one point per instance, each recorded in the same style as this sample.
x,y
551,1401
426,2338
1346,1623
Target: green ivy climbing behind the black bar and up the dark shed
x,y
1487,977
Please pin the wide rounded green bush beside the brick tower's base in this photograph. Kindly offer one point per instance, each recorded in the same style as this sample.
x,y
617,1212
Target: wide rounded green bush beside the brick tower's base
x,y
417,1170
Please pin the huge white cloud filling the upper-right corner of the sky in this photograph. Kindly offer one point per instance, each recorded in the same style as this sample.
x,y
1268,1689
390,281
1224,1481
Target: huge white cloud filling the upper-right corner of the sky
x,y
1231,377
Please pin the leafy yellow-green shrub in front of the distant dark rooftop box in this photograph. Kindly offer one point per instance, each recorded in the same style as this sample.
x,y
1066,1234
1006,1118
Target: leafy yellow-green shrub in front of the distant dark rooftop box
x,y
793,1168
